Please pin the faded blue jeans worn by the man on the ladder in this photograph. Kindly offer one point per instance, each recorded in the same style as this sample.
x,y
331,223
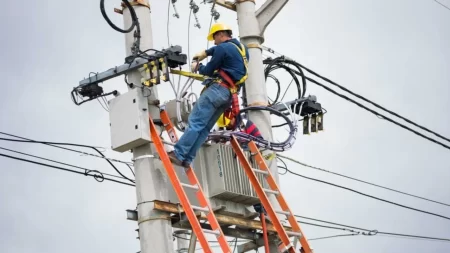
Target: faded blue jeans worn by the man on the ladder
x,y
207,110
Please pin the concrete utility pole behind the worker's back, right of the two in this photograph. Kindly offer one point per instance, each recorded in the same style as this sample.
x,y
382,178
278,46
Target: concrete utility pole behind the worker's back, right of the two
x,y
252,24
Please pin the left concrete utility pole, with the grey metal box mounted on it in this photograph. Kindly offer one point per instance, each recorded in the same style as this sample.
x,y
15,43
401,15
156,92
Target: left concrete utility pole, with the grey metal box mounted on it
x,y
155,231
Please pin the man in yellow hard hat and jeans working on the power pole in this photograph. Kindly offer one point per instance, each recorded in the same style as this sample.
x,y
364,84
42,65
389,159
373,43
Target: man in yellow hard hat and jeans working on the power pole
x,y
228,71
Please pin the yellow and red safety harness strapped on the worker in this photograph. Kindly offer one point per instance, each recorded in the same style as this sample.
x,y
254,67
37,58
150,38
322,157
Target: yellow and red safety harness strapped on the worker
x,y
232,112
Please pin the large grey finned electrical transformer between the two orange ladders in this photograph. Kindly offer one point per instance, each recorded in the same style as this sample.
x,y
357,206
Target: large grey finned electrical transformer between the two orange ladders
x,y
223,180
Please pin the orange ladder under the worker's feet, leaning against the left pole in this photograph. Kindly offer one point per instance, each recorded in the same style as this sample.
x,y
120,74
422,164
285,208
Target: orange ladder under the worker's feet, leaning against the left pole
x,y
194,184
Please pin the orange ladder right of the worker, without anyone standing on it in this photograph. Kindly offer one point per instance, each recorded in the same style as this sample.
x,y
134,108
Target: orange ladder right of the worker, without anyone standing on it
x,y
262,194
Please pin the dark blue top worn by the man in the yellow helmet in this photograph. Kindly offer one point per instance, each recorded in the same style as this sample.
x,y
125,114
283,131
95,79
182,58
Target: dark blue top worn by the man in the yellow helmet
x,y
226,57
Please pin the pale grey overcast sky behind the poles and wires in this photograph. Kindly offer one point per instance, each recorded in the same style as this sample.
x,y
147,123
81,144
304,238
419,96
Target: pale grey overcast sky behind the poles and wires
x,y
393,52
